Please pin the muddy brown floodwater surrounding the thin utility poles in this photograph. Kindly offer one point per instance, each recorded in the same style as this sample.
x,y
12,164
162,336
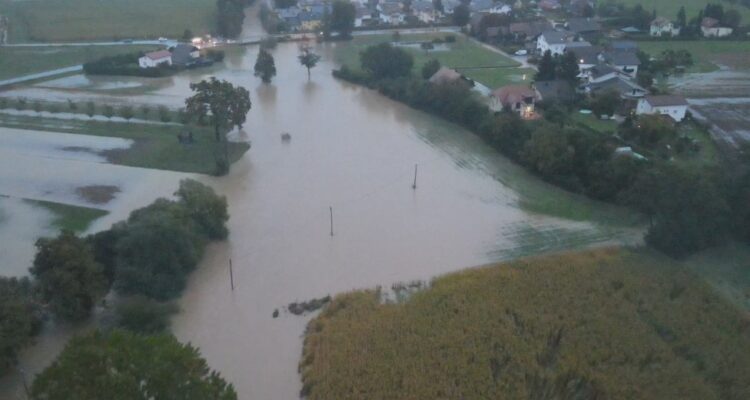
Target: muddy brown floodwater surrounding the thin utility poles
x,y
355,151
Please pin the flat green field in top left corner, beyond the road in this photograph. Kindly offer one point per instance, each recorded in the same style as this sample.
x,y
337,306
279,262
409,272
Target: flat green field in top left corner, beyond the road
x,y
74,20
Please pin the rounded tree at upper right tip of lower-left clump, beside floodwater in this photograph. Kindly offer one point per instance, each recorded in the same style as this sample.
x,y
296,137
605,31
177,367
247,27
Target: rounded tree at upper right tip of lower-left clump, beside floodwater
x,y
205,207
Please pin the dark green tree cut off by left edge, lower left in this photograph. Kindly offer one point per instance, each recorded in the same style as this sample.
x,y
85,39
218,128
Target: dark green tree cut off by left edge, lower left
x,y
19,319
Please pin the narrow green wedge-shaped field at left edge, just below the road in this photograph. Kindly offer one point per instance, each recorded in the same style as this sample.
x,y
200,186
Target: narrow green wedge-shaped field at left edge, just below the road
x,y
18,61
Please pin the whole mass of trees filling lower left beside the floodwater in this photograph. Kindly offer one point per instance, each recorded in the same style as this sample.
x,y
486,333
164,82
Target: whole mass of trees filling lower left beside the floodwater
x,y
146,259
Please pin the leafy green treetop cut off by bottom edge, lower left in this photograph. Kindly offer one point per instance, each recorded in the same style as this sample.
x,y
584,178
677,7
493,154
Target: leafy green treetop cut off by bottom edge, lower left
x,y
125,365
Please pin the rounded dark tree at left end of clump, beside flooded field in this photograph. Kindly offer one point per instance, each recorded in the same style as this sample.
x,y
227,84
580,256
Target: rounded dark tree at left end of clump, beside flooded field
x,y
67,275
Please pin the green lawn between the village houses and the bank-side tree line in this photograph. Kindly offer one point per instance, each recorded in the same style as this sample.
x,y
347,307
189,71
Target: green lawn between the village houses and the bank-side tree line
x,y
464,55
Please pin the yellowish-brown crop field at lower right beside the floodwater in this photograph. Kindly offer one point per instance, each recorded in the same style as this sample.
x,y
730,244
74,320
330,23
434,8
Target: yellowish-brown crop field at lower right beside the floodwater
x,y
611,323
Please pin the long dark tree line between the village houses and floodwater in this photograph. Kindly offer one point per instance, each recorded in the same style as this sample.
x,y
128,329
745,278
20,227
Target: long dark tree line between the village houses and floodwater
x,y
690,209
